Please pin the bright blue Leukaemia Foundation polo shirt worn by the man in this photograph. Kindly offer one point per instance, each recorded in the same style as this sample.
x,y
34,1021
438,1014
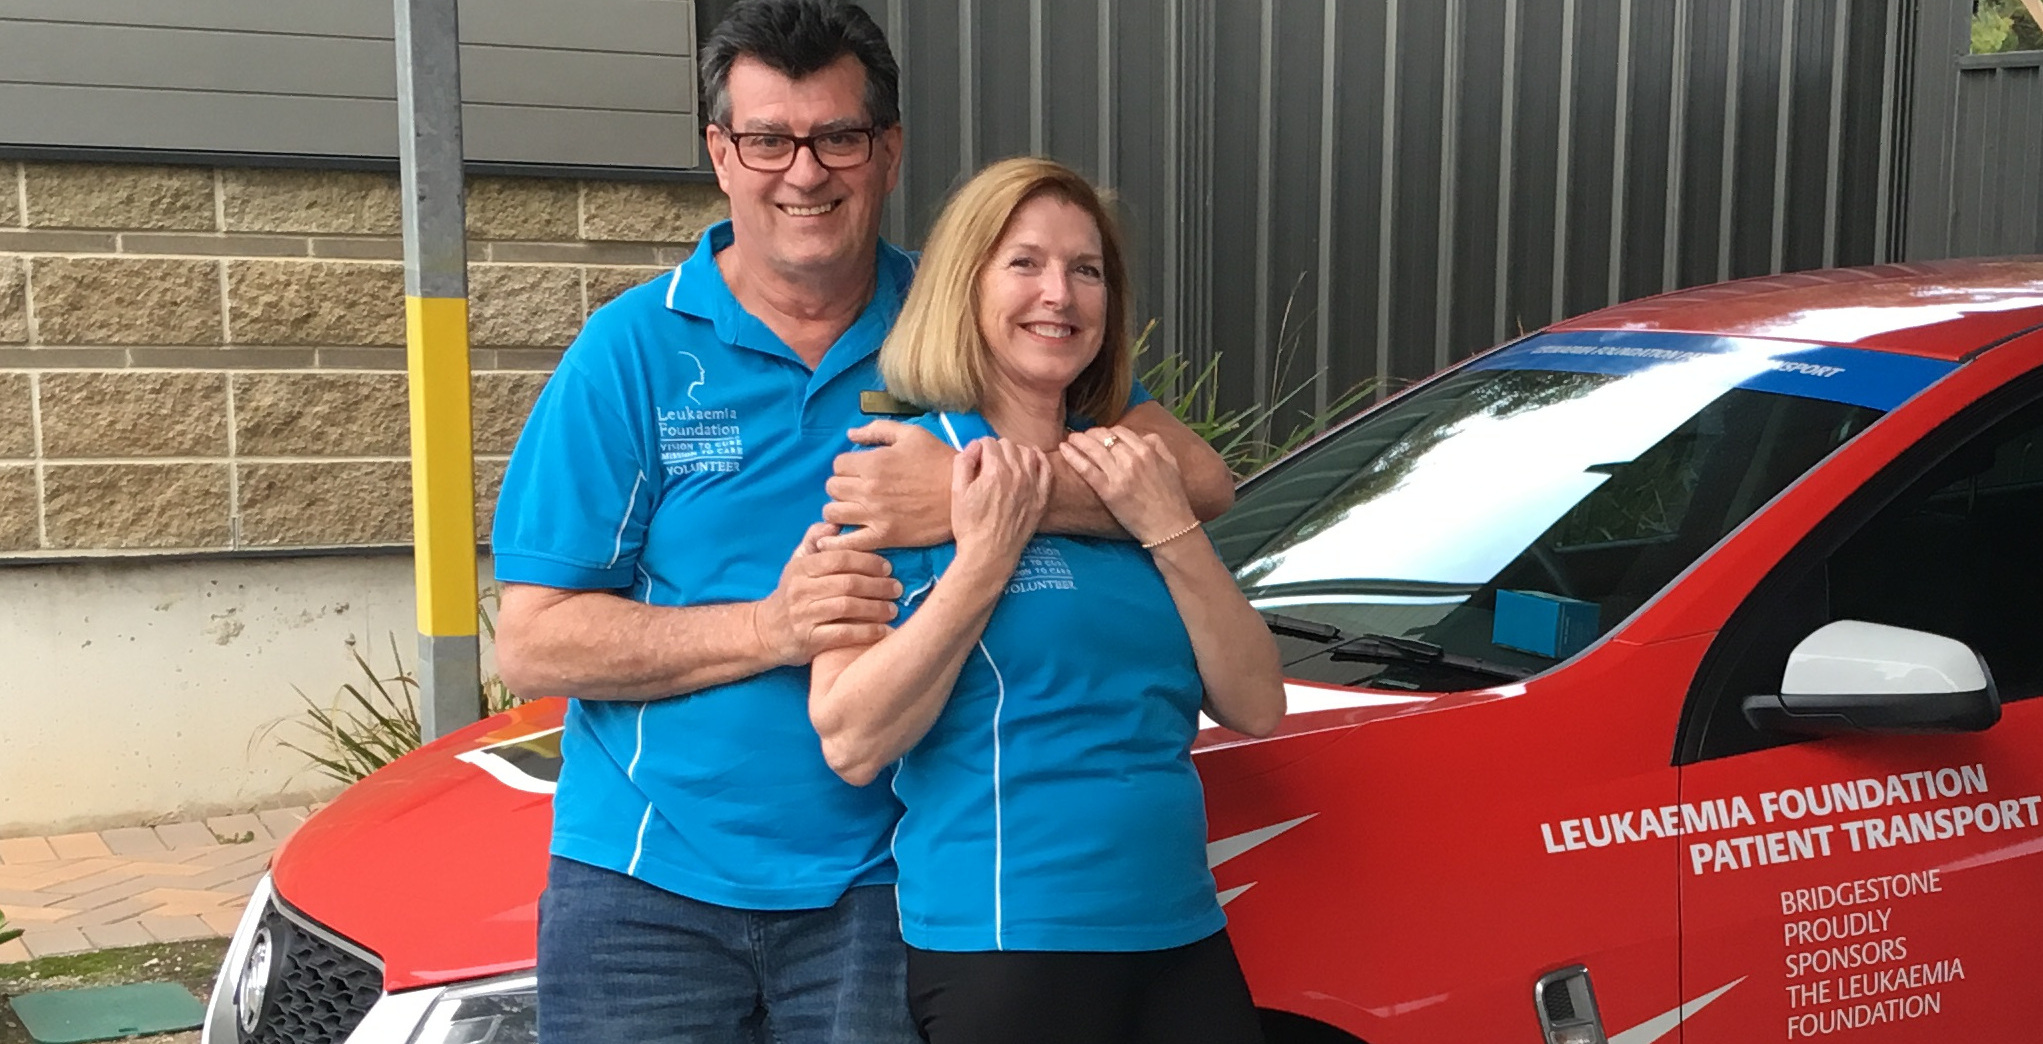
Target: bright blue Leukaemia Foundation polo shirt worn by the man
x,y
677,457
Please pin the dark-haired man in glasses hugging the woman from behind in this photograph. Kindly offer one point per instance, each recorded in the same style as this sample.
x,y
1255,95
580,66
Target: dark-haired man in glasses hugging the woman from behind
x,y
663,563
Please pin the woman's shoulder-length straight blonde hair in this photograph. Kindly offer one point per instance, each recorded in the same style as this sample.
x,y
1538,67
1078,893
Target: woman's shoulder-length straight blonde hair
x,y
939,359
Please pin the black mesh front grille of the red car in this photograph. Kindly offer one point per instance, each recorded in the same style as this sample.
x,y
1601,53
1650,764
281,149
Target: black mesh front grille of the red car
x,y
318,992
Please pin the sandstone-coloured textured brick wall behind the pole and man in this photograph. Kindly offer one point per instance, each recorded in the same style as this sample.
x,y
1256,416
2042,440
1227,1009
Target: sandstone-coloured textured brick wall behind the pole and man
x,y
216,359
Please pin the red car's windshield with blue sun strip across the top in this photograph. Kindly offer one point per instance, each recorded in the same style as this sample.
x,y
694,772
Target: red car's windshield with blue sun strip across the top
x,y
1503,518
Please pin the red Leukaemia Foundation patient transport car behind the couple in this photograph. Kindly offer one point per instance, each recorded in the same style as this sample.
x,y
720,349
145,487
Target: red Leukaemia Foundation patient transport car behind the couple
x,y
1660,677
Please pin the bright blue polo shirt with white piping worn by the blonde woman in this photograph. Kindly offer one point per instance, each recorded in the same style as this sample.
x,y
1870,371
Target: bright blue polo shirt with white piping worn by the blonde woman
x,y
1053,806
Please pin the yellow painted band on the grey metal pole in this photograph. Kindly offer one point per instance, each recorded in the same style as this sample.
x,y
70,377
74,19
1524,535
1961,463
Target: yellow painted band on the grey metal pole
x,y
442,467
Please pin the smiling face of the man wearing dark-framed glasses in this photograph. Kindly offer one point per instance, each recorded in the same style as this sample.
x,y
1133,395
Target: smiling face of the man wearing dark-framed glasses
x,y
808,218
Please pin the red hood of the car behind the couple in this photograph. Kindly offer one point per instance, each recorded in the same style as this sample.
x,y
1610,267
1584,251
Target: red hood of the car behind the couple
x,y
436,863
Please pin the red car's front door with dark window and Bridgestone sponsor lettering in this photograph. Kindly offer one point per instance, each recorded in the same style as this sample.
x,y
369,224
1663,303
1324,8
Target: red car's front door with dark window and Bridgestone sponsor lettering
x,y
1883,888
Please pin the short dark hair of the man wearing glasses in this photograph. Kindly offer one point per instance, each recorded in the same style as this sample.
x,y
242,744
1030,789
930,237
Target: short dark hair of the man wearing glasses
x,y
800,38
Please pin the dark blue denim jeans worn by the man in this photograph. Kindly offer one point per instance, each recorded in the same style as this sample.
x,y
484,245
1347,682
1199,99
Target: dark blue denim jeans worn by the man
x,y
624,961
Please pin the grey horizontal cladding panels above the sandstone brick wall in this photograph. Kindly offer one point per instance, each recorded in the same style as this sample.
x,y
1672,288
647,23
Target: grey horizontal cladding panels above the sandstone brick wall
x,y
547,85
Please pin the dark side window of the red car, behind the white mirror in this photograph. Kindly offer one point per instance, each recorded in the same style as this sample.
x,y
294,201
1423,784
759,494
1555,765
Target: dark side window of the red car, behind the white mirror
x,y
1956,553
